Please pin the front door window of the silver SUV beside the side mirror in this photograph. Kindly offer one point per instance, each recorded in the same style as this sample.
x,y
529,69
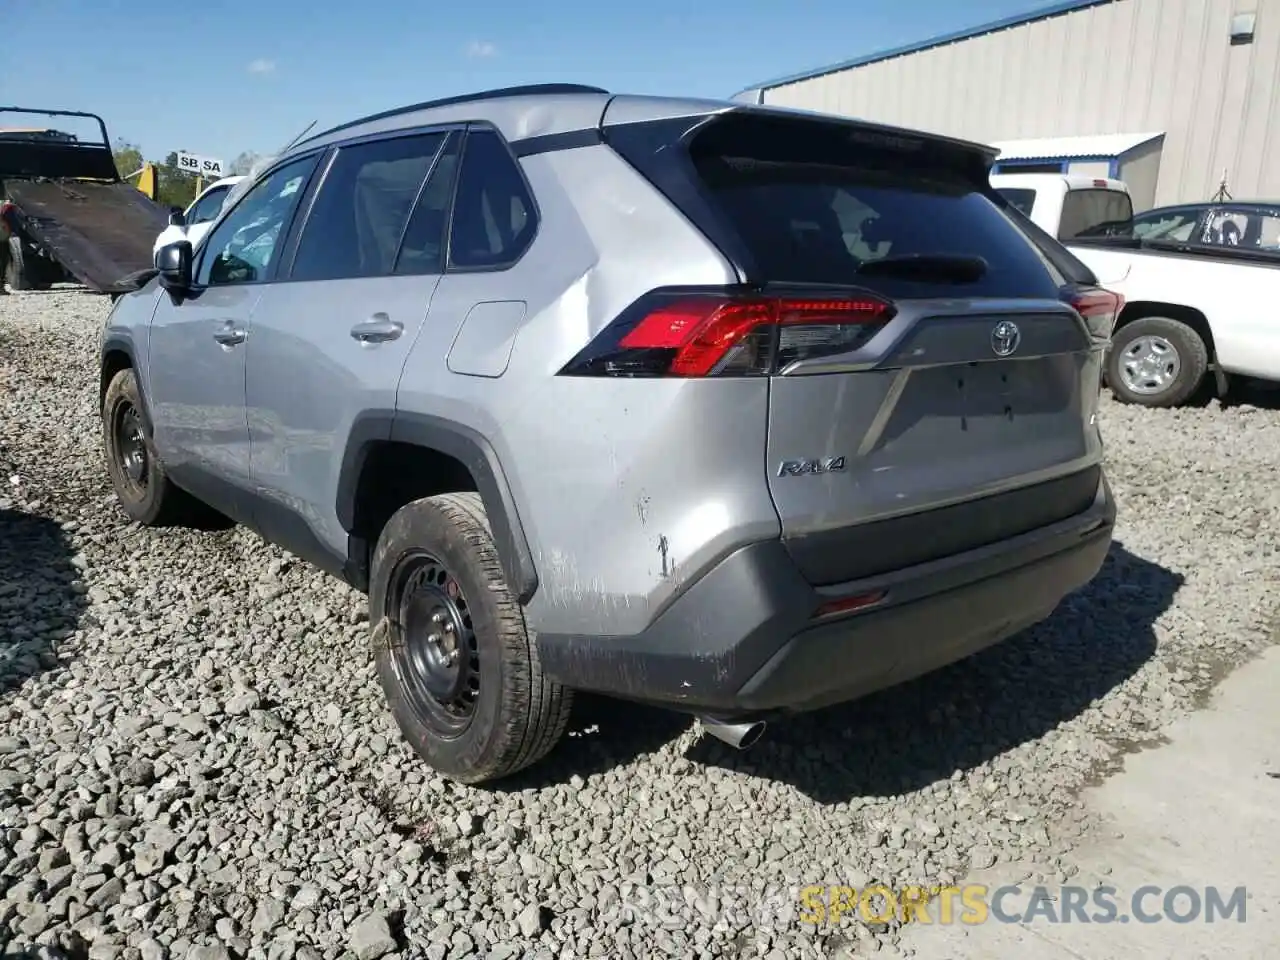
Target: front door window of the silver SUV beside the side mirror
x,y
241,248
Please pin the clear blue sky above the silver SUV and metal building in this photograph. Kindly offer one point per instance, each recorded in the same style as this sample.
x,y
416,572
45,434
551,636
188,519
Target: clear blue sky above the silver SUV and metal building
x,y
218,77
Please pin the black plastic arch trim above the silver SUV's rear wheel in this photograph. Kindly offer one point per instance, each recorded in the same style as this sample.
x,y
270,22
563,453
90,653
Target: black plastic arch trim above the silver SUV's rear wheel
x,y
468,447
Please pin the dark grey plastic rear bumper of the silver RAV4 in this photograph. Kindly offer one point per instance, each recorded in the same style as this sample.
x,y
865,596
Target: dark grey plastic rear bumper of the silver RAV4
x,y
743,643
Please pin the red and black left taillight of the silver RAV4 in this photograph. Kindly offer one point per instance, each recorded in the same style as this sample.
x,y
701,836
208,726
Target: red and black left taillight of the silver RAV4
x,y
678,333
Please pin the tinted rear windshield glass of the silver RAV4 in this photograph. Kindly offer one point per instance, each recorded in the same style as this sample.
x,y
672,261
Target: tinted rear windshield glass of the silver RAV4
x,y
816,209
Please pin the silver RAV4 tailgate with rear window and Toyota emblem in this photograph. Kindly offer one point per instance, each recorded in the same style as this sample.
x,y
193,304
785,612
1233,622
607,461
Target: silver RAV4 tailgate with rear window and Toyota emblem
x,y
959,409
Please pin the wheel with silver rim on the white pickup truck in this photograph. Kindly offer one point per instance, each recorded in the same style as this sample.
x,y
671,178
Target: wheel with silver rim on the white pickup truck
x,y
1156,362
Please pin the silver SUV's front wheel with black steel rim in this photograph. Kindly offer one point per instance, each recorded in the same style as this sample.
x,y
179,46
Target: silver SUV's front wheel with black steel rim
x,y
143,488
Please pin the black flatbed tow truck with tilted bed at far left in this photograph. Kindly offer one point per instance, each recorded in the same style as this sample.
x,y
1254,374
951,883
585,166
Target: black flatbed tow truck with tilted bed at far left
x,y
66,213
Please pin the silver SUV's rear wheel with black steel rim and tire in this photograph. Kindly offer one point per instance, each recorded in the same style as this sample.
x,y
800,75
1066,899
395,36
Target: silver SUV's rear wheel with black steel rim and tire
x,y
508,715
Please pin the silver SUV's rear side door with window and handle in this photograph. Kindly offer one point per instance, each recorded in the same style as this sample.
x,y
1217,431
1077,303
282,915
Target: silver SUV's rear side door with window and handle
x,y
331,342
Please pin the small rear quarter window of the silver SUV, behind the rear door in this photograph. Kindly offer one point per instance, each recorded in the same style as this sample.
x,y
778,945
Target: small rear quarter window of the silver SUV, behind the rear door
x,y
493,214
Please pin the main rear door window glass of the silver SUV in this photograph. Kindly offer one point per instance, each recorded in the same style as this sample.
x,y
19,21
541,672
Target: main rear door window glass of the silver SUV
x,y
362,209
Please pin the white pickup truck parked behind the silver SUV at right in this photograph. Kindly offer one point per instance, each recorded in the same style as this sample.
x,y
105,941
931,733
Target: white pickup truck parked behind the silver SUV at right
x,y
1200,282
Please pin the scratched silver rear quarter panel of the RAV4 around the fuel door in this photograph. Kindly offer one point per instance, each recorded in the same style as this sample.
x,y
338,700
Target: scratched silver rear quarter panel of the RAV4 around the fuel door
x,y
628,490
